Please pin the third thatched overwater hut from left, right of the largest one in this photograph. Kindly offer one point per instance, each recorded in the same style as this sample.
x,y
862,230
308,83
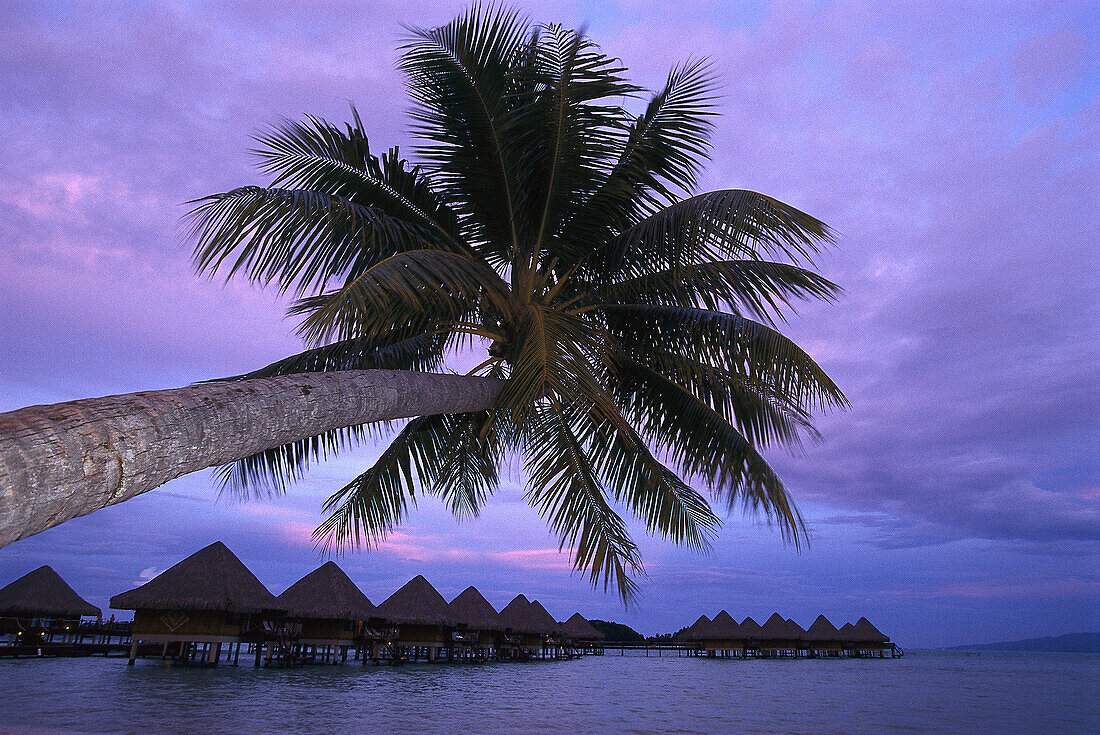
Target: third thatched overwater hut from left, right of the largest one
x,y
326,613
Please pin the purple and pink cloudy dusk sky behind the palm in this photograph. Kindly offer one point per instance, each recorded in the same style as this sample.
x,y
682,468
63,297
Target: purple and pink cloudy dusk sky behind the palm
x,y
956,150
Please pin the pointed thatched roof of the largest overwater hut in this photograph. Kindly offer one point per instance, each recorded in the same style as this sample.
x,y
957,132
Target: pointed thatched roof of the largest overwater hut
x,y
210,579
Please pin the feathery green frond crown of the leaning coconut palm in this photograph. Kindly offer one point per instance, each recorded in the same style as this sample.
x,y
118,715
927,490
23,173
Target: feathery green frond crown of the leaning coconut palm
x,y
633,322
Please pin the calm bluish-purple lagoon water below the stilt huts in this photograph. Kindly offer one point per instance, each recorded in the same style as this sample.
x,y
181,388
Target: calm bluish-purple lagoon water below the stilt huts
x,y
934,692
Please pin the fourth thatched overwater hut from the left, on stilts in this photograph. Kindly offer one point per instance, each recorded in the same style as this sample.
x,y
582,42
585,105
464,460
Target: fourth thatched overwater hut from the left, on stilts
x,y
422,618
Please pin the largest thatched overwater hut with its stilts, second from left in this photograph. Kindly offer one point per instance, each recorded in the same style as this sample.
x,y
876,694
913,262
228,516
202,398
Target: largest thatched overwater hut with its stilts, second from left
x,y
210,599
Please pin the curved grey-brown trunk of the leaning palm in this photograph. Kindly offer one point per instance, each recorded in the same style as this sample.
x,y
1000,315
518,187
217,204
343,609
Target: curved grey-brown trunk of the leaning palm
x,y
69,459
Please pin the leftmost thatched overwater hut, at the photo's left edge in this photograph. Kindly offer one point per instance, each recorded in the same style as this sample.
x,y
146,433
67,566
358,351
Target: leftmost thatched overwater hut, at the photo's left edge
x,y
40,607
